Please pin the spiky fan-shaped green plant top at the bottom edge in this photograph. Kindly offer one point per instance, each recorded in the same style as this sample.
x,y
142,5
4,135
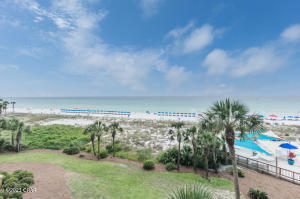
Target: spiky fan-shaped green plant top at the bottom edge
x,y
191,191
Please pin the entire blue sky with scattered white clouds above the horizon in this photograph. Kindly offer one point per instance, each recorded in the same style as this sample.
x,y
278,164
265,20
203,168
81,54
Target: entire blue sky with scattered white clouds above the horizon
x,y
56,48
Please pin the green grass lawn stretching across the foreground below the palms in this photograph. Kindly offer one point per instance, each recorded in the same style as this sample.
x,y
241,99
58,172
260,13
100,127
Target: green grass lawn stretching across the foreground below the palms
x,y
92,179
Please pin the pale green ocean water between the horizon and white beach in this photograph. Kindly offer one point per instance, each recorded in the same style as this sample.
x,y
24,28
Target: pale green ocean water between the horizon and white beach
x,y
257,105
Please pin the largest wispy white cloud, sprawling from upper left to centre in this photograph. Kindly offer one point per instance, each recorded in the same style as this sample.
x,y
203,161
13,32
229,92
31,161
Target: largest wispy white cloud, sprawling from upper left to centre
x,y
89,55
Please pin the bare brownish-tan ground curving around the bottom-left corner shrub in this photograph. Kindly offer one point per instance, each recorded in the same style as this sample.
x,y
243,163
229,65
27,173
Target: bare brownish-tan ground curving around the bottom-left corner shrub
x,y
50,181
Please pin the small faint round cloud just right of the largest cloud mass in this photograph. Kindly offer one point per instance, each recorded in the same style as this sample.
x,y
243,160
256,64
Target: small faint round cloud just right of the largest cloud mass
x,y
176,75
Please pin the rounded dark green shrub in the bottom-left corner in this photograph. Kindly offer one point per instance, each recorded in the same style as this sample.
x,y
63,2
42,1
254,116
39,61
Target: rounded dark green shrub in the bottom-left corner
x,y
20,180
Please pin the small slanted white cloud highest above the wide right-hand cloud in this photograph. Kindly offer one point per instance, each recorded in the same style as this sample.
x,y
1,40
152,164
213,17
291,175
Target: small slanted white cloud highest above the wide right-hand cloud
x,y
190,39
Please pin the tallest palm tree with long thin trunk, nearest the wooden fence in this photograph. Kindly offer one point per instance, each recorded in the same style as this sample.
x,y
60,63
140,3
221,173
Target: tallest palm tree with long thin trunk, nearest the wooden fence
x,y
233,116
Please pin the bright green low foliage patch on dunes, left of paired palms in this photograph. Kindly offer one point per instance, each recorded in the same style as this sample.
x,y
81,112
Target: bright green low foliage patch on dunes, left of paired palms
x,y
55,137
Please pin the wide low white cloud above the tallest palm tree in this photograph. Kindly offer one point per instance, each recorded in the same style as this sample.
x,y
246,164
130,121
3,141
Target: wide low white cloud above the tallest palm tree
x,y
250,61
